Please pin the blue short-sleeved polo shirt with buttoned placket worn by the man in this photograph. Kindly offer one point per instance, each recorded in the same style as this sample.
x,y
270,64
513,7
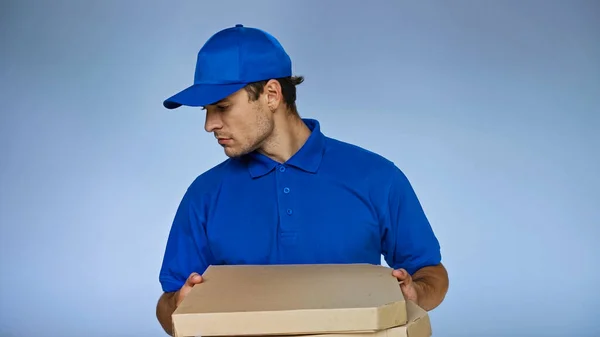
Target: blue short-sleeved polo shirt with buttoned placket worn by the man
x,y
332,202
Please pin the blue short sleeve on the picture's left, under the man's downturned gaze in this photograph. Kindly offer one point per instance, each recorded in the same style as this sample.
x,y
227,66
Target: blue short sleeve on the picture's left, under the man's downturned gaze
x,y
187,248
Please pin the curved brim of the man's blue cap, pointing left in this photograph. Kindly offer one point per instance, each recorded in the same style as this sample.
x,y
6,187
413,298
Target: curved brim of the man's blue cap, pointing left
x,y
201,95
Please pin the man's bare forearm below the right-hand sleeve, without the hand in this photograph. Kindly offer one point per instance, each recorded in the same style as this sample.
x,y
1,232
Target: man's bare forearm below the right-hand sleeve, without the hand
x,y
432,285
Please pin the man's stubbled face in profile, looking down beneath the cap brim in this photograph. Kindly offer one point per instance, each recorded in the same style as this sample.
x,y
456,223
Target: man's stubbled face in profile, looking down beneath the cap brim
x,y
240,126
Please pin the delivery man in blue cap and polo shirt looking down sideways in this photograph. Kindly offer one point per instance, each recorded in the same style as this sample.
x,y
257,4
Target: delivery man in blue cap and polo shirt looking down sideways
x,y
287,193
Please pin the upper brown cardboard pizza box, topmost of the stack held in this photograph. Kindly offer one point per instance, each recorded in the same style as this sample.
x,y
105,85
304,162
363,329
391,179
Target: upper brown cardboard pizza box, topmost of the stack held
x,y
256,300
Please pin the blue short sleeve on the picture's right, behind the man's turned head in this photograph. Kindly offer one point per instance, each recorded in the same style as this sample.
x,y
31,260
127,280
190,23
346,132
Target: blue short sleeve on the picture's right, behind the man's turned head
x,y
407,237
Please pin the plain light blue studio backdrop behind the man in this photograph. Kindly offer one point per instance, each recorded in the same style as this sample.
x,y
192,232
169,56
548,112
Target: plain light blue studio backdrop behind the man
x,y
491,108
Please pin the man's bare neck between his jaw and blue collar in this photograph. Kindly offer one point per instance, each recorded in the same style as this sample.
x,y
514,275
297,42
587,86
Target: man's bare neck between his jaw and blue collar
x,y
289,136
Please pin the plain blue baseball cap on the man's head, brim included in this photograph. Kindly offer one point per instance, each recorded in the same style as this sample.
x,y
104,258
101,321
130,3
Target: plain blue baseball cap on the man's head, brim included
x,y
228,61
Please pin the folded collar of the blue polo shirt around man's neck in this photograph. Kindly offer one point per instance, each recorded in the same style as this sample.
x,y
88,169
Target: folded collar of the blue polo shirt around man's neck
x,y
308,158
